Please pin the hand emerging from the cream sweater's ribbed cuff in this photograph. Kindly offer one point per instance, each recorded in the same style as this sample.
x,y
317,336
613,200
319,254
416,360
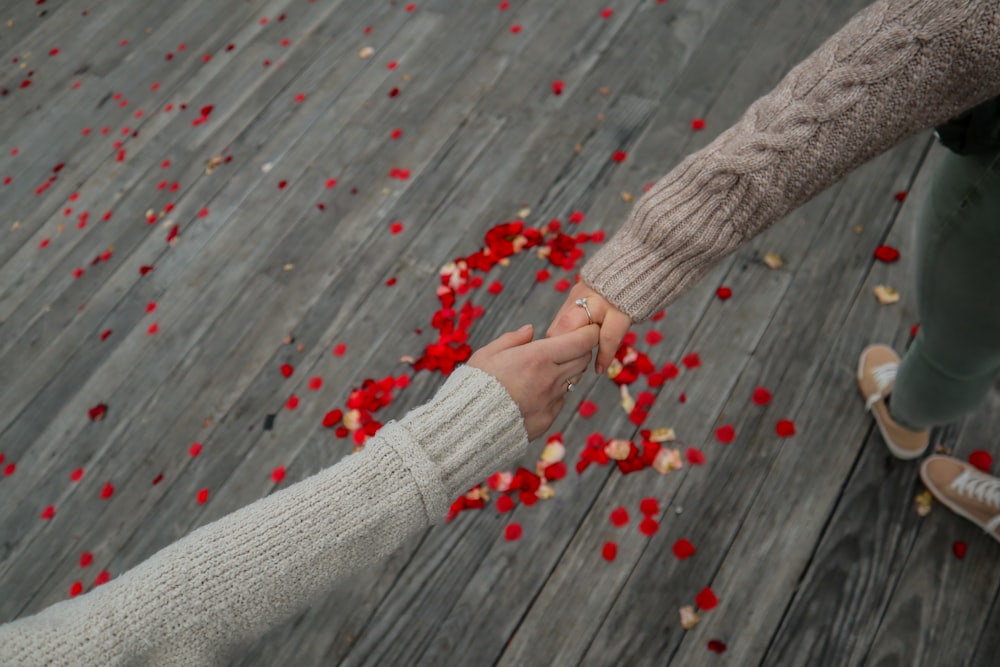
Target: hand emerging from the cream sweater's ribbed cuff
x,y
536,374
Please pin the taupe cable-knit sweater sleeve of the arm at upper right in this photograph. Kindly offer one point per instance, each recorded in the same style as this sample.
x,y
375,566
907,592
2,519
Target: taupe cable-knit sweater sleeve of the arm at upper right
x,y
897,67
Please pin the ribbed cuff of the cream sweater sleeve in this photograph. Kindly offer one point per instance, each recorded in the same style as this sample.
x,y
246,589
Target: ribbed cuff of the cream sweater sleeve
x,y
470,430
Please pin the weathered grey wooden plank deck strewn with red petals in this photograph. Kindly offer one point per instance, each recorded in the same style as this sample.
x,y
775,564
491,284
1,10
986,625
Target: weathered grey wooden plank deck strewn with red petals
x,y
812,543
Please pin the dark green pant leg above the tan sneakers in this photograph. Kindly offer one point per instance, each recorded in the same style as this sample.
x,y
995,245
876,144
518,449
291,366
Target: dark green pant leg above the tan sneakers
x,y
956,355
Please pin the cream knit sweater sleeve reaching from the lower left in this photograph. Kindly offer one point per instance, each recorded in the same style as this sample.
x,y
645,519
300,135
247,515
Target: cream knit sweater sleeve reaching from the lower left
x,y
224,585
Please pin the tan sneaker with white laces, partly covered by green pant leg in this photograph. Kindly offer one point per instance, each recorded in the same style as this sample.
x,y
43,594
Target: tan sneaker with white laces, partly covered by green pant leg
x,y
876,376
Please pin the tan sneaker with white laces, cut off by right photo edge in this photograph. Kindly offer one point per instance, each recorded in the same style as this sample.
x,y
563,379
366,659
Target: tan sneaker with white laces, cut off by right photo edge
x,y
965,491
